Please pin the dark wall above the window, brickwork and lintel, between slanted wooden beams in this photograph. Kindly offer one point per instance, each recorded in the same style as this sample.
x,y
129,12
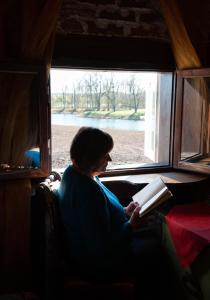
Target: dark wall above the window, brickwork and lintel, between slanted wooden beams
x,y
112,33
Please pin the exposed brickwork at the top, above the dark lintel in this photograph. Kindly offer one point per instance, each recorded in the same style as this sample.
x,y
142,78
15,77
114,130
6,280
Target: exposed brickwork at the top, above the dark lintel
x,y
121,18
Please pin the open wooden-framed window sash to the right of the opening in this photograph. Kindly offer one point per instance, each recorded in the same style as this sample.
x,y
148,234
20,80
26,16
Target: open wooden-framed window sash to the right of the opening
x,y
192,136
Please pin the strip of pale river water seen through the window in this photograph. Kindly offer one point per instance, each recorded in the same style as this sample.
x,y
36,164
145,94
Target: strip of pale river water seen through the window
x,y
69,119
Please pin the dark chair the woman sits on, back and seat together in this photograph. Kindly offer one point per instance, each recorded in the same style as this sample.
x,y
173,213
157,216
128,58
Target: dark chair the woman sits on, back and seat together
x,y
53,282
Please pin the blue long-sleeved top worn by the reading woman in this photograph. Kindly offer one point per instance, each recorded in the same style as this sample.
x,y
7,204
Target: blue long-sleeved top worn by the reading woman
x,y
95,222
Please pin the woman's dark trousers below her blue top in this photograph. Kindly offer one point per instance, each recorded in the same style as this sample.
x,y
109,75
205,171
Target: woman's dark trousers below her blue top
x,y
145,262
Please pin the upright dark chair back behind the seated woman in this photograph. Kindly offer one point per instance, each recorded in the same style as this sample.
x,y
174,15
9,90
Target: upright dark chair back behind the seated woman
x,y
47,243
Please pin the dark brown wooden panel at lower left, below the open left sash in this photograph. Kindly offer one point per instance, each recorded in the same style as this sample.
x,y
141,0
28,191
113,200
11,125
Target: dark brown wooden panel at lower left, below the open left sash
x,y
14,235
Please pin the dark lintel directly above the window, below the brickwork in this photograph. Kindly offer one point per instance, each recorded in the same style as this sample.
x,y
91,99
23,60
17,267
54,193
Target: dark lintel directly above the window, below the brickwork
x,y
112,52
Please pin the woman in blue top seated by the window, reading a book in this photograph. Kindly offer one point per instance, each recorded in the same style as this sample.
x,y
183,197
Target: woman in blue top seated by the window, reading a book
x,y
105,239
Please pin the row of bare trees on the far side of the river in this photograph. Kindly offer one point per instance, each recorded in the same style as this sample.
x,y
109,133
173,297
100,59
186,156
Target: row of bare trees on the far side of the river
x,y
98,92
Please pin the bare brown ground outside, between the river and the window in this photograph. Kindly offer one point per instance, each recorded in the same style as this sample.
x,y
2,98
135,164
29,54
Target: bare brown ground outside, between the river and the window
x,y
128,149
